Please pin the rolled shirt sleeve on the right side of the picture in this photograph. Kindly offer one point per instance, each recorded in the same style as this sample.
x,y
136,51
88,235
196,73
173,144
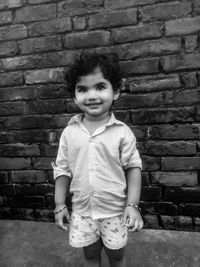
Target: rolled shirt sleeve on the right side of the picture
x,y
130,156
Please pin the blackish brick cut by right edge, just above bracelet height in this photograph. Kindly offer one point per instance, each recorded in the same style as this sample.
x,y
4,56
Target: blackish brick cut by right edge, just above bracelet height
x,y
184,195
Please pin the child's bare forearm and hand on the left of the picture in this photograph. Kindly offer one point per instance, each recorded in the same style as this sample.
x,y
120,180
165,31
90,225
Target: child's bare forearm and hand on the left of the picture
x,y
62,184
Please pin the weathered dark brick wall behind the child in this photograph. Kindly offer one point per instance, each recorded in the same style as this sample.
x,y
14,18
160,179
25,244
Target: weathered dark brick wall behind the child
x,y
158,45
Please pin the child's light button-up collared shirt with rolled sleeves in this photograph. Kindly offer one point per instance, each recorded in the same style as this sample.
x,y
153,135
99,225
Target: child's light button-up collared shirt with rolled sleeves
x,y
96,164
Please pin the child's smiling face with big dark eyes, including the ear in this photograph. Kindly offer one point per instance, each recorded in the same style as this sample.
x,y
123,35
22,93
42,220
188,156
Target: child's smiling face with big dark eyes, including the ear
x,y
94,95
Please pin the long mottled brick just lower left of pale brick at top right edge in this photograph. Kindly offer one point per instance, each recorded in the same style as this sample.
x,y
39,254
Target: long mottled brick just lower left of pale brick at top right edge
x,y
134,33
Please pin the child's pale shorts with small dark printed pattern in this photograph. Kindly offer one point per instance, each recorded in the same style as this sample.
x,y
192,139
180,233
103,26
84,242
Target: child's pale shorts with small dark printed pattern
x,y
85,231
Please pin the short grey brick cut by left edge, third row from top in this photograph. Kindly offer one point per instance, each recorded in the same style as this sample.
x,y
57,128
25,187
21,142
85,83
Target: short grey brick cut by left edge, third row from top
x,y
13,32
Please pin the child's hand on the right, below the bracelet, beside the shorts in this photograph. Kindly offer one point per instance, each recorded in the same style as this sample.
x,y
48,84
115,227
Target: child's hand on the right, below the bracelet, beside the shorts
x,y
132,219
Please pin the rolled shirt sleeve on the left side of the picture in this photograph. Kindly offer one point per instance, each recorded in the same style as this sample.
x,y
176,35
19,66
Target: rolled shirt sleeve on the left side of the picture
x,y
61,166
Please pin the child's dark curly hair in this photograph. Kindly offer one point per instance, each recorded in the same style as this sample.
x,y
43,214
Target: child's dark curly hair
x,y
86,63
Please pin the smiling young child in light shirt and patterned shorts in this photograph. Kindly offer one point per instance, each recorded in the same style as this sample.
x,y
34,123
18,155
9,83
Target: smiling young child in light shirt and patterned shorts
x,y
100,164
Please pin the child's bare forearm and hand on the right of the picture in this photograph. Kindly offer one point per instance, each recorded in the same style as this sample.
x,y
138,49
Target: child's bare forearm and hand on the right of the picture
x,y
132,217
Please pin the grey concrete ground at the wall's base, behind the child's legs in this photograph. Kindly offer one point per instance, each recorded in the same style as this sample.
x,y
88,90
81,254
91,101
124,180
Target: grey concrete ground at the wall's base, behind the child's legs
x,y
40,244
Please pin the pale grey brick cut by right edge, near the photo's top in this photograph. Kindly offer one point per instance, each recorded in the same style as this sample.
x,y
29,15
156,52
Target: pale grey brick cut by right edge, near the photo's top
x,y
182,26
